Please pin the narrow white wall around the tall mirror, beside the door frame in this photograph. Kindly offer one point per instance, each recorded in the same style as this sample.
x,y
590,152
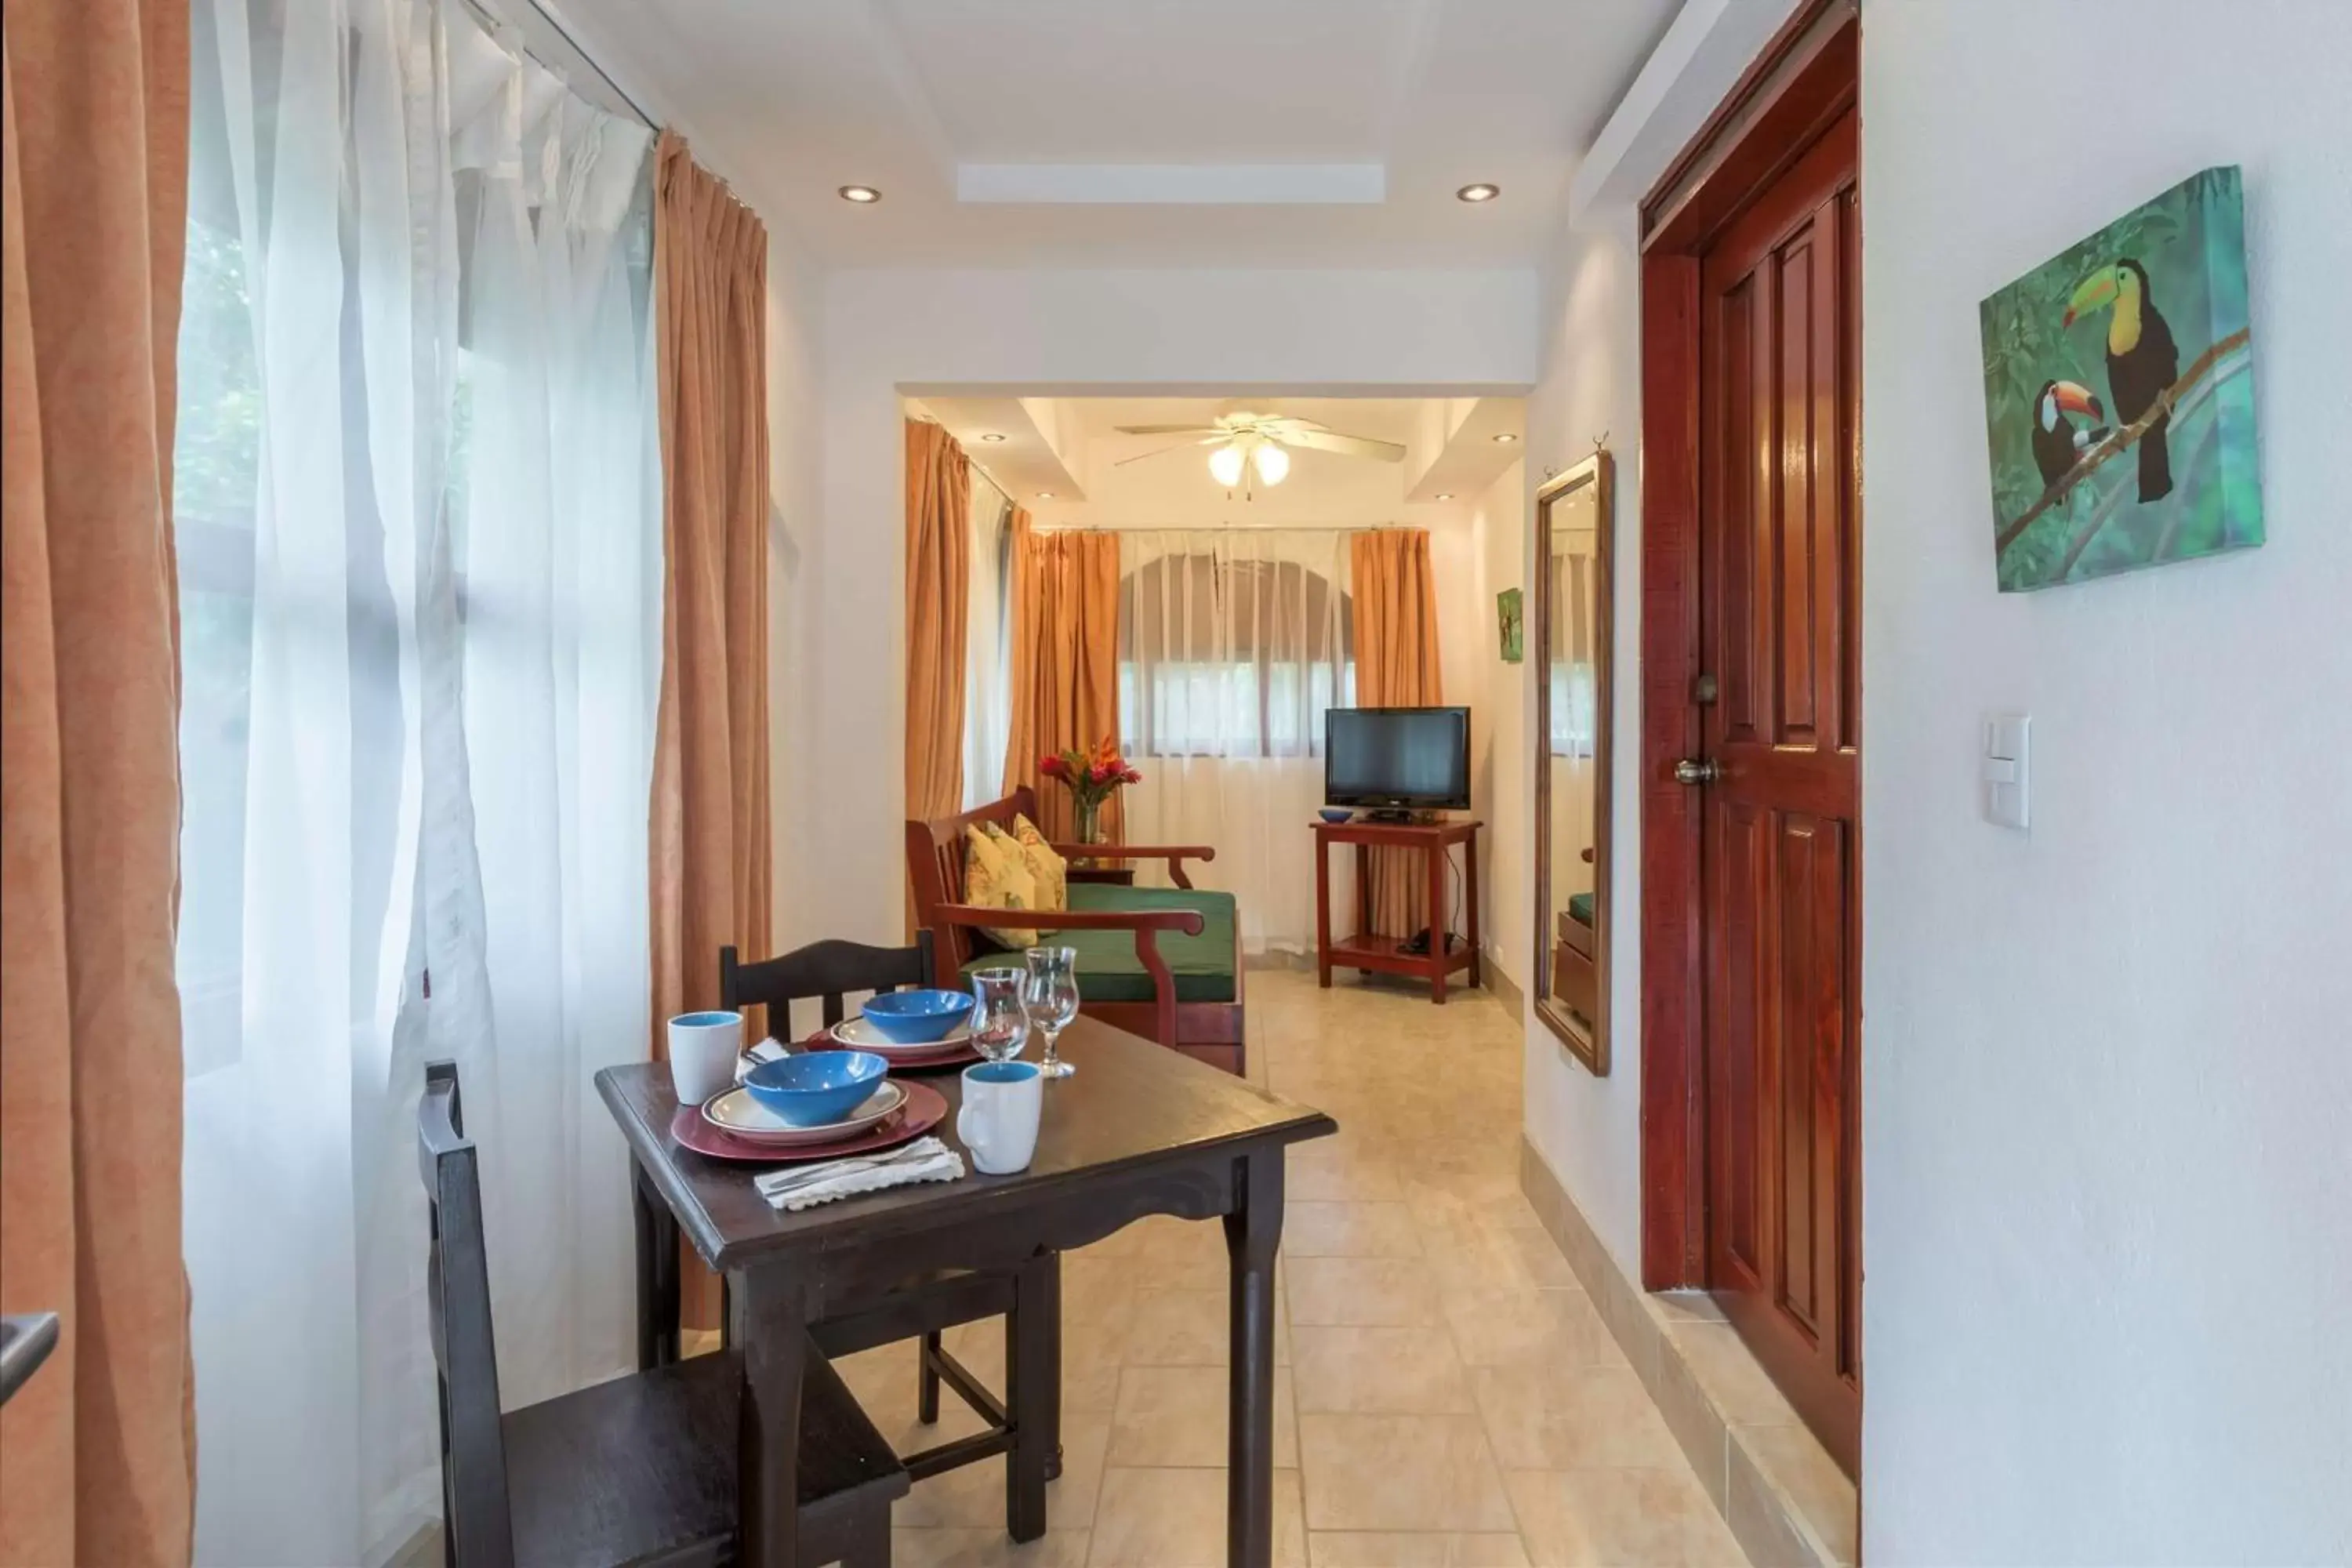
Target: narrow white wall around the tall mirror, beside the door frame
x,y
1589,1130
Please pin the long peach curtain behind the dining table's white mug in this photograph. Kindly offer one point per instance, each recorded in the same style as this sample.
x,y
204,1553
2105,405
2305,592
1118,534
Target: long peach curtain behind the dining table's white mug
x,y
711,812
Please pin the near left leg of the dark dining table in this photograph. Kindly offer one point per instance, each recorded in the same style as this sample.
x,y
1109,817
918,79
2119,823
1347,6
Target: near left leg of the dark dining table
x,y
770,1327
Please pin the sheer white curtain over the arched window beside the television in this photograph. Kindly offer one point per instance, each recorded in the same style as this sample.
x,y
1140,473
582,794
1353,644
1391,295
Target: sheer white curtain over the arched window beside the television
x,y
1234,643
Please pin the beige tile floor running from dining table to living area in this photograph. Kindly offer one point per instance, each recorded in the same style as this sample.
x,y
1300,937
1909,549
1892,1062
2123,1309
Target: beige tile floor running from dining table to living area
x,y
1445,1395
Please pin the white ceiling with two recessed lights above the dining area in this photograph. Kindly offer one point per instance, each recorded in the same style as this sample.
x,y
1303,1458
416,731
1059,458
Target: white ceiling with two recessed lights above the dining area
x,y
1140,133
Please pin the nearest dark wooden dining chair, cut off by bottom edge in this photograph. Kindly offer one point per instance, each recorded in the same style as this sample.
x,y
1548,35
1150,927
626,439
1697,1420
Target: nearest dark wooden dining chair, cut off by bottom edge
x,y
636,1470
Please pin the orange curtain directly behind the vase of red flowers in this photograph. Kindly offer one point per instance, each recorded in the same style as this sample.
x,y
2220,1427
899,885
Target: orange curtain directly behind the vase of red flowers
x,y
1067,662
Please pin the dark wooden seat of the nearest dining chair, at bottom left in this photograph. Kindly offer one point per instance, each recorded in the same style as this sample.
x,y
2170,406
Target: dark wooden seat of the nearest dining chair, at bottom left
x,y
643,1468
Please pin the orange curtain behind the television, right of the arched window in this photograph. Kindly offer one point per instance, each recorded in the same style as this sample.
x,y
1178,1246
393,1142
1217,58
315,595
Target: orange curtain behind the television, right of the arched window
x,y
1396,666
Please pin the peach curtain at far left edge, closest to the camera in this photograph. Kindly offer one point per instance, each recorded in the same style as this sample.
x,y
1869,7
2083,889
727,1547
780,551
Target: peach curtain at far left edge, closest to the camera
x,y
95,1452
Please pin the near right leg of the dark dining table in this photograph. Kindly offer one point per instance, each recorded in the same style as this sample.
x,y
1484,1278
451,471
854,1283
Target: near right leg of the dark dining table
x,y
1252,1233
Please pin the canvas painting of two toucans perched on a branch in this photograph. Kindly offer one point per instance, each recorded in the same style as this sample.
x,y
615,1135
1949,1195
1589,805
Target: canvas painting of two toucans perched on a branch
x,y
2120,396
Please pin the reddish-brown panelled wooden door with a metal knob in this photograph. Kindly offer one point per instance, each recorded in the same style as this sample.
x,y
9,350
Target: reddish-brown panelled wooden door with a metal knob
x,y
1779,845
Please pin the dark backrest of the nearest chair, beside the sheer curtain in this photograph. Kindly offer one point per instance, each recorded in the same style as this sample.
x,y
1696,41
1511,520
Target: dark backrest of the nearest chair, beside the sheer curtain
x,y
476,1517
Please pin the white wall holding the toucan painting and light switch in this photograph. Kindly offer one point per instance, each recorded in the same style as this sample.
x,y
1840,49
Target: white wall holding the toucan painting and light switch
x,y
2106,1080
